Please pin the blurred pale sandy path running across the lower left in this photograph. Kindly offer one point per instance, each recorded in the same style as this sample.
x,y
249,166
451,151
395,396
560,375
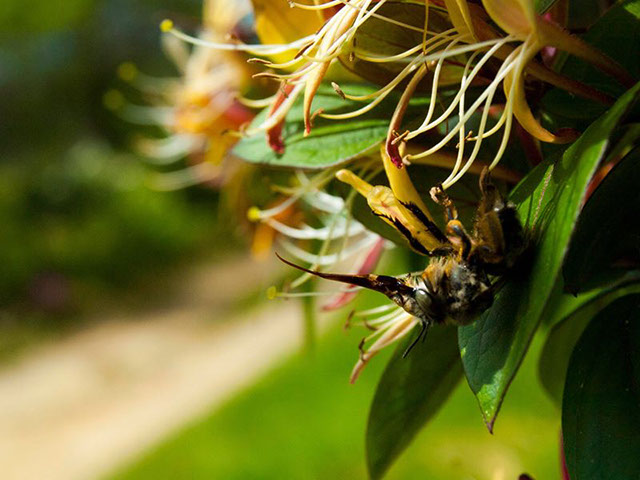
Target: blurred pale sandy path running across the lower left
x,y
78,408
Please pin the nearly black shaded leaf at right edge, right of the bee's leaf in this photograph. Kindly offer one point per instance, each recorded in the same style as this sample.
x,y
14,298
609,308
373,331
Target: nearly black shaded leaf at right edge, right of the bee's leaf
x,y
608,228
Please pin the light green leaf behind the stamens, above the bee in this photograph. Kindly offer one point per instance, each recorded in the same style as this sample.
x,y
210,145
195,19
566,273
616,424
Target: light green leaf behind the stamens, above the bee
x,y
331,142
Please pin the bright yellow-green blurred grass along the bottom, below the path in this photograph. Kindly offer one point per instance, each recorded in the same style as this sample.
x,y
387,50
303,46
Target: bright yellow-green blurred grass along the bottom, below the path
x,y
305,421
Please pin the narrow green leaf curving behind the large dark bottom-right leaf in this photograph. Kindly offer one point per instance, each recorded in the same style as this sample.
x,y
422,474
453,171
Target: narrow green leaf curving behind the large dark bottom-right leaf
x,y
569,318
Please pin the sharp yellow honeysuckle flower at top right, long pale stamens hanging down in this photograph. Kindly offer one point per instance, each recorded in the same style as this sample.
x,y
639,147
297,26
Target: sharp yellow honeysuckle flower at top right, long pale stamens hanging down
x,y
519,21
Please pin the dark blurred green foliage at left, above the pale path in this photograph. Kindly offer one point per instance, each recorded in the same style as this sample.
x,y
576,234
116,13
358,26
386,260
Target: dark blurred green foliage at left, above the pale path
x,y
80,224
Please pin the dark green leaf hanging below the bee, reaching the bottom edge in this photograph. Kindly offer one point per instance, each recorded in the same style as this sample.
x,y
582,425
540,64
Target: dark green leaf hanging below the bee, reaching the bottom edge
x,y
410,392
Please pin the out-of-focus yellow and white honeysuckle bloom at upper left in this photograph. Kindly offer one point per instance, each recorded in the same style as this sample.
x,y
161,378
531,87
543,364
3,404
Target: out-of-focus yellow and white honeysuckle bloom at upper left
x,y
198,109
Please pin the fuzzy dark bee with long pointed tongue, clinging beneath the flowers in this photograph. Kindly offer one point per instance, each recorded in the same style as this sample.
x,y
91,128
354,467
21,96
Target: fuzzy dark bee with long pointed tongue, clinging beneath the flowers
x,y
462,277
